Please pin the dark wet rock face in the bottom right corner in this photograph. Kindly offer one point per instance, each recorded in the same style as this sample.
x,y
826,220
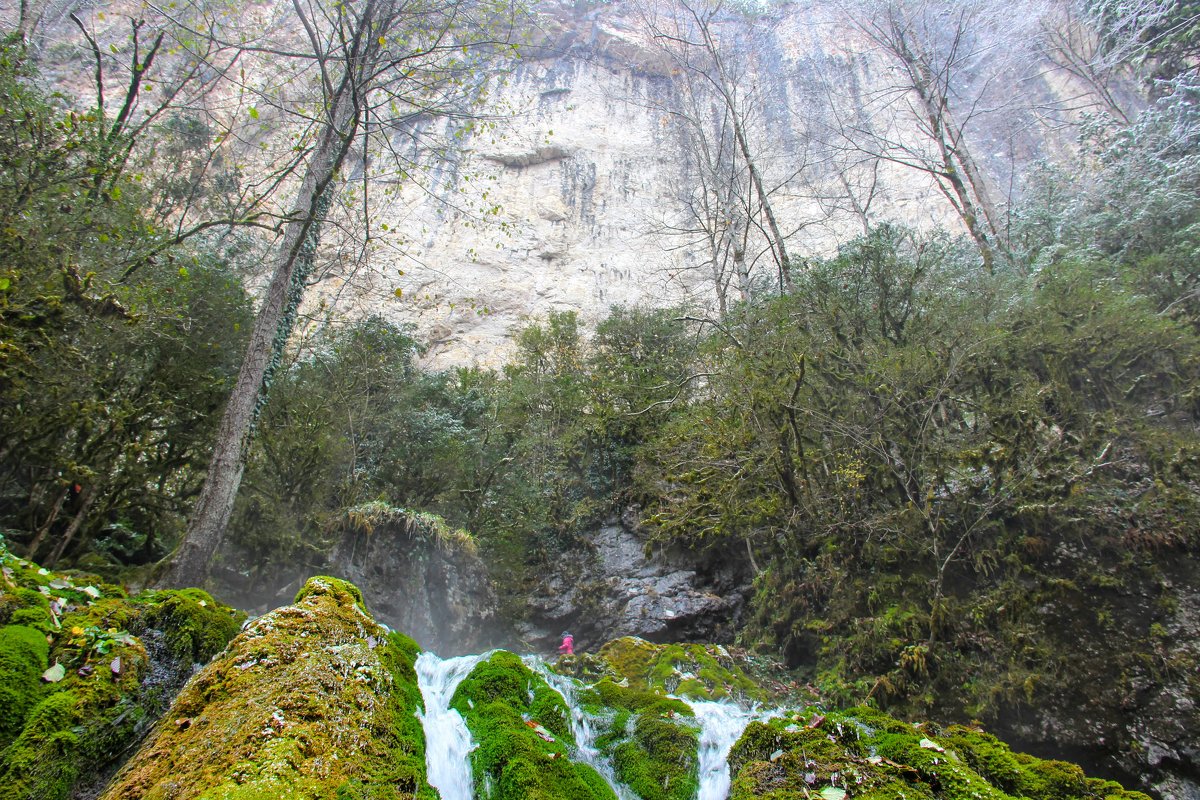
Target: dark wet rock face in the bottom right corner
x,y
1129,711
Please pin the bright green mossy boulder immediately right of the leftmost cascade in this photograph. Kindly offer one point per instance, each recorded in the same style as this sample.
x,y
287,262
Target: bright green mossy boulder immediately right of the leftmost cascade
x,y
525,738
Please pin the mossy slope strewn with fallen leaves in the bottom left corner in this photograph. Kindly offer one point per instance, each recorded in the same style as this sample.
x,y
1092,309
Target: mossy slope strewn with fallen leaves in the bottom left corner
x,y
85,671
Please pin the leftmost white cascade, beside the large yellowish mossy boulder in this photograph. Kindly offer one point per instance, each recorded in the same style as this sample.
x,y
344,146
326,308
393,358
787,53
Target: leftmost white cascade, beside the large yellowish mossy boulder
x,y
448,743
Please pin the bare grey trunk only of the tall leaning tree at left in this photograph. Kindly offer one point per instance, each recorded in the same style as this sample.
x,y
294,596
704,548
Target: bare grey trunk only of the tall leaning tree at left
x,y
191,562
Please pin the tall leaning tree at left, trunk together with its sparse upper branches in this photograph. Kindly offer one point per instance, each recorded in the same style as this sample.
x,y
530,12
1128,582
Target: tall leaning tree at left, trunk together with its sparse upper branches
x,y
379,63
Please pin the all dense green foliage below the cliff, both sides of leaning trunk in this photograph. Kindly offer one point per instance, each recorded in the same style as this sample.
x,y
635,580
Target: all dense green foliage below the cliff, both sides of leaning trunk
x,y
938,472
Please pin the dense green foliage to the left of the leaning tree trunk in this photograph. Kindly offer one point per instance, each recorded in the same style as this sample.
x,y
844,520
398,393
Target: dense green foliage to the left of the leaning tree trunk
x,y
116,348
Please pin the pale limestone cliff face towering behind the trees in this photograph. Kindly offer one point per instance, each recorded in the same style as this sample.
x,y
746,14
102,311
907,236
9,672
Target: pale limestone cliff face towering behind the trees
x,y
579,194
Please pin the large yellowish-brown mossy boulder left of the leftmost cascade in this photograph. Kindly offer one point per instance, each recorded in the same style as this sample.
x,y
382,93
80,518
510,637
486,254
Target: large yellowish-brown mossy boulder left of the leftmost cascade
x,y
310,701
